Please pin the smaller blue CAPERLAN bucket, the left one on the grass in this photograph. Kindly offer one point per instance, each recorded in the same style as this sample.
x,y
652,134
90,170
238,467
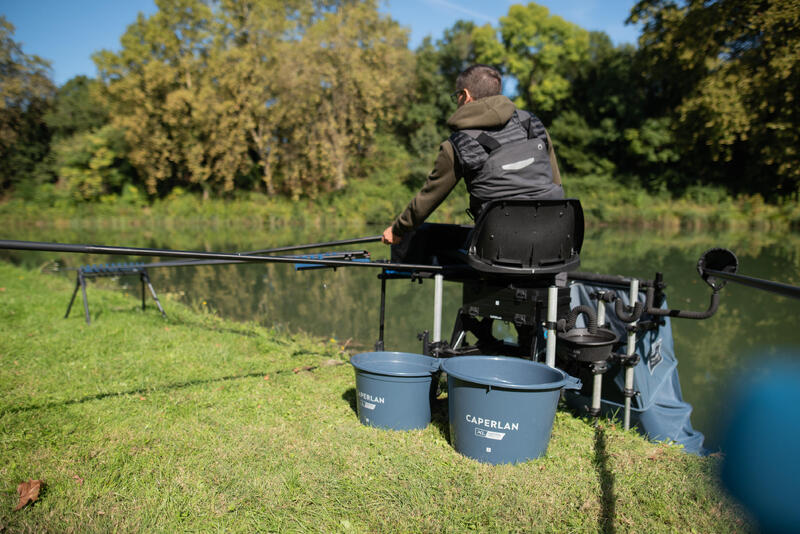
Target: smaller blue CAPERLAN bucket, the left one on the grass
x,y
394,389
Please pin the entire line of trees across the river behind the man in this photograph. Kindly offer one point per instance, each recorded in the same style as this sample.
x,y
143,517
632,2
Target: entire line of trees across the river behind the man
x,y
300,99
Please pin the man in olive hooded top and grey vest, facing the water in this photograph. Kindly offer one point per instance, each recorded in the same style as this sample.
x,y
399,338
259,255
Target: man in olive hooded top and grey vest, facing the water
x,y
500,151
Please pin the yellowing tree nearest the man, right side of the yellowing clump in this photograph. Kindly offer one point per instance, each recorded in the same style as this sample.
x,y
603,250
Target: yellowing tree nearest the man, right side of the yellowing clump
x,y
345,75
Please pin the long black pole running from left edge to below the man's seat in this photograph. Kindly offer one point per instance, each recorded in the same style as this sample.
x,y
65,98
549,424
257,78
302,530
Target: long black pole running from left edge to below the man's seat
x,y
167,253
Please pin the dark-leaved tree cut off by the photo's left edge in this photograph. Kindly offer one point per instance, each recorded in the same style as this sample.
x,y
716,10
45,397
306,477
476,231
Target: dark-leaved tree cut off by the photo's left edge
x,y
26,92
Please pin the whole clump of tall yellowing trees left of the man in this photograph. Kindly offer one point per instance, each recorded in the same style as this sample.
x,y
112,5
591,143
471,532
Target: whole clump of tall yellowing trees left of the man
x,y
208,93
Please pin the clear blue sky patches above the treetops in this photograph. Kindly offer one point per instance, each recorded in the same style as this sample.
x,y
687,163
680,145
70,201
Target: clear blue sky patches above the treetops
x,y
67,32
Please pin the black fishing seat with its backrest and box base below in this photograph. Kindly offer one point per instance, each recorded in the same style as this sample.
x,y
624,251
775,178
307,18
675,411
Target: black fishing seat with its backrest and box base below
x,y
518,248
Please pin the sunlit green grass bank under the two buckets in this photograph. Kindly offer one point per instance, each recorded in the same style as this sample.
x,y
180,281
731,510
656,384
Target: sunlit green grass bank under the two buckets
x,y
194,423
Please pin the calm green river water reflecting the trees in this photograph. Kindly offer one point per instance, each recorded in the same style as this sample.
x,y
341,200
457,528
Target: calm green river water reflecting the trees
x,y
750,328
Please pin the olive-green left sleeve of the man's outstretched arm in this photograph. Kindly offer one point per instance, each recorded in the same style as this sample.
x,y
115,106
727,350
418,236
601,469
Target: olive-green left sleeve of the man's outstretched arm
x,y
440,182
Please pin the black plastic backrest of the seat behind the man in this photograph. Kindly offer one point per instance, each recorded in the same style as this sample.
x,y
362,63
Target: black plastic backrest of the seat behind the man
x,y
527,237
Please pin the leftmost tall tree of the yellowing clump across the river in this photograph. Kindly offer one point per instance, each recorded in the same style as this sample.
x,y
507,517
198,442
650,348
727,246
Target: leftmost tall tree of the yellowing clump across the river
x,y
152,89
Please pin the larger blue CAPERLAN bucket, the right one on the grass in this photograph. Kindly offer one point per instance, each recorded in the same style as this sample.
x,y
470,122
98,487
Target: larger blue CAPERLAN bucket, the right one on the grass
x,y
502,409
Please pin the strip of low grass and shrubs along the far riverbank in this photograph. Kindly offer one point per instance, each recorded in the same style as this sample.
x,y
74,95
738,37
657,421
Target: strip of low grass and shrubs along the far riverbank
x,y
364,202
